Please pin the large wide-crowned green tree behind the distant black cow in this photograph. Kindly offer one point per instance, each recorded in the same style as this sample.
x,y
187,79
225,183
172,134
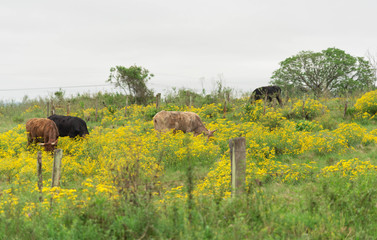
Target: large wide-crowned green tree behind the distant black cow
x,y
330,71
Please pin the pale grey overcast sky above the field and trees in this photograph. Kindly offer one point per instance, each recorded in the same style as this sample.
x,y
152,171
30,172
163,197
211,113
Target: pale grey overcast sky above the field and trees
x,y
47,45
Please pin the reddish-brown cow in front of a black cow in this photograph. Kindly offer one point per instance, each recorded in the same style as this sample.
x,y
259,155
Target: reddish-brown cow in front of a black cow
x,y
44,131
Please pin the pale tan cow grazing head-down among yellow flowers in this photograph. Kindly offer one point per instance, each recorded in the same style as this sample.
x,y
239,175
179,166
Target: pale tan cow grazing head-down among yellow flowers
x,y
184,121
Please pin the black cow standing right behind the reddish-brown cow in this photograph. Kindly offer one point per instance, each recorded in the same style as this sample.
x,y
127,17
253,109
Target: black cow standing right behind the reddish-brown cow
x,y
70,126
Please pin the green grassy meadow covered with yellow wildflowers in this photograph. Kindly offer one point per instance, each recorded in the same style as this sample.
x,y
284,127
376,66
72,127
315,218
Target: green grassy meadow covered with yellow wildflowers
x,y
311,171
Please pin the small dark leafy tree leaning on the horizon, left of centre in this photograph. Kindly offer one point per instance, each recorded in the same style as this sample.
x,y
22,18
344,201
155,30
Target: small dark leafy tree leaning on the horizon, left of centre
x,y
133,81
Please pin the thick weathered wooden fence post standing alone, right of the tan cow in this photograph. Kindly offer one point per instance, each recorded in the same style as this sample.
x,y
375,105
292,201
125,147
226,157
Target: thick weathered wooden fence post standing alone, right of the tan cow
x,y
238,164
